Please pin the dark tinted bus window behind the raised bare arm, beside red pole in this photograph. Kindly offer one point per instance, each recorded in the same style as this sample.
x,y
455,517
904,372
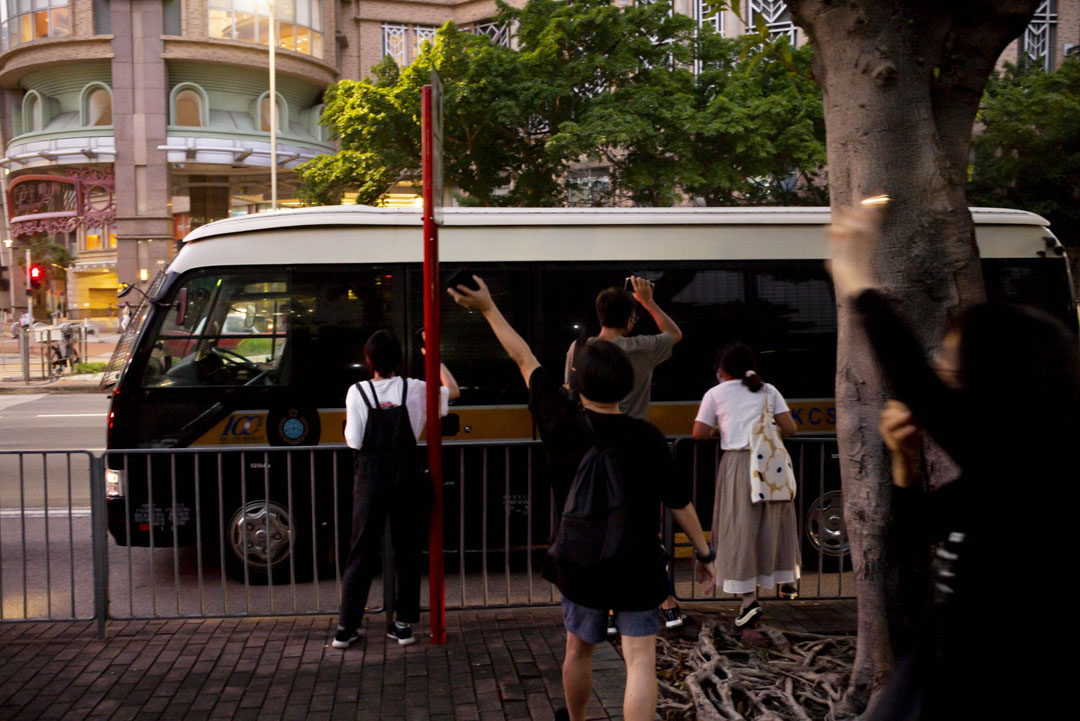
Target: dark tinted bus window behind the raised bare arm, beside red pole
x,y
470,350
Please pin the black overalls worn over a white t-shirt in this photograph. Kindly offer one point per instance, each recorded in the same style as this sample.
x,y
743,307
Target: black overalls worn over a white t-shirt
x,y
387,484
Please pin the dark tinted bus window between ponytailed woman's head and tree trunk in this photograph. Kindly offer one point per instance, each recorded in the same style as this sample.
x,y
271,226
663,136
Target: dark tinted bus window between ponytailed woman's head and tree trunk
x,y
795,329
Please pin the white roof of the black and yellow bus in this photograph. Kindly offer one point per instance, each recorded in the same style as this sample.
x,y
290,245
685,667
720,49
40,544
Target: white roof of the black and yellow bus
x,y
363,235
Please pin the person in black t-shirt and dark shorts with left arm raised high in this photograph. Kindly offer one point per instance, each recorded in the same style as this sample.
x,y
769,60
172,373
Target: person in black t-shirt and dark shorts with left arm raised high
x,y
610,474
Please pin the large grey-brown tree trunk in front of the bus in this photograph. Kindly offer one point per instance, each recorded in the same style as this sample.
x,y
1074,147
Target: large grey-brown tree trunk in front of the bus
x,y
902,83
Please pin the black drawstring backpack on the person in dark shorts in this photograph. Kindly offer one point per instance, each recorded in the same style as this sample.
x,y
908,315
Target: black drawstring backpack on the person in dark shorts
x,y
595,530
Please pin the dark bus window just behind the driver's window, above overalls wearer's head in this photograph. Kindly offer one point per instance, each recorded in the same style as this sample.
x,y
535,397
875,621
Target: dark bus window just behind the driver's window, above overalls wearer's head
x,y
334,315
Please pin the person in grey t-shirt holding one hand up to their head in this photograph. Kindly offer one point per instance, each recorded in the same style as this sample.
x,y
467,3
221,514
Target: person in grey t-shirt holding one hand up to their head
x,y
617,314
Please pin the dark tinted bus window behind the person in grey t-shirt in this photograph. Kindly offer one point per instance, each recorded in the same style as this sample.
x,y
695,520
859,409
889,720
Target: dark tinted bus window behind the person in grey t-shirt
x,y
709,307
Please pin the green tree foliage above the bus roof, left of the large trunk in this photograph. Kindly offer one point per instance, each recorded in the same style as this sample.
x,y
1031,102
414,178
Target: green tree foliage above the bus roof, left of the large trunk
x,y
588,86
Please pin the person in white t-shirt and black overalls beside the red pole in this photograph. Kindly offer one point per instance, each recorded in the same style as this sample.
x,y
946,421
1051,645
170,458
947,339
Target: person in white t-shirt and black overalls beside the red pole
x,y
385,416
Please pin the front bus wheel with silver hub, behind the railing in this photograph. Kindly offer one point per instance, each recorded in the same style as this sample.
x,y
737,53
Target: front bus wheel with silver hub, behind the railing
x,y
262,536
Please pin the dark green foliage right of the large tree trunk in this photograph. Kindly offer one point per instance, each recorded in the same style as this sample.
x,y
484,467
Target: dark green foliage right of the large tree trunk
x,y
1028,153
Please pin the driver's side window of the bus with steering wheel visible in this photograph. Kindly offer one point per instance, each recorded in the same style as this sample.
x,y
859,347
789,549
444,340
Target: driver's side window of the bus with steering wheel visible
x,y
234,333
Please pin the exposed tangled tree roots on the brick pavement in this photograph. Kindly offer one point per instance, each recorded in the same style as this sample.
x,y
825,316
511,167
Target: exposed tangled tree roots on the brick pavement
x,y
763,675
